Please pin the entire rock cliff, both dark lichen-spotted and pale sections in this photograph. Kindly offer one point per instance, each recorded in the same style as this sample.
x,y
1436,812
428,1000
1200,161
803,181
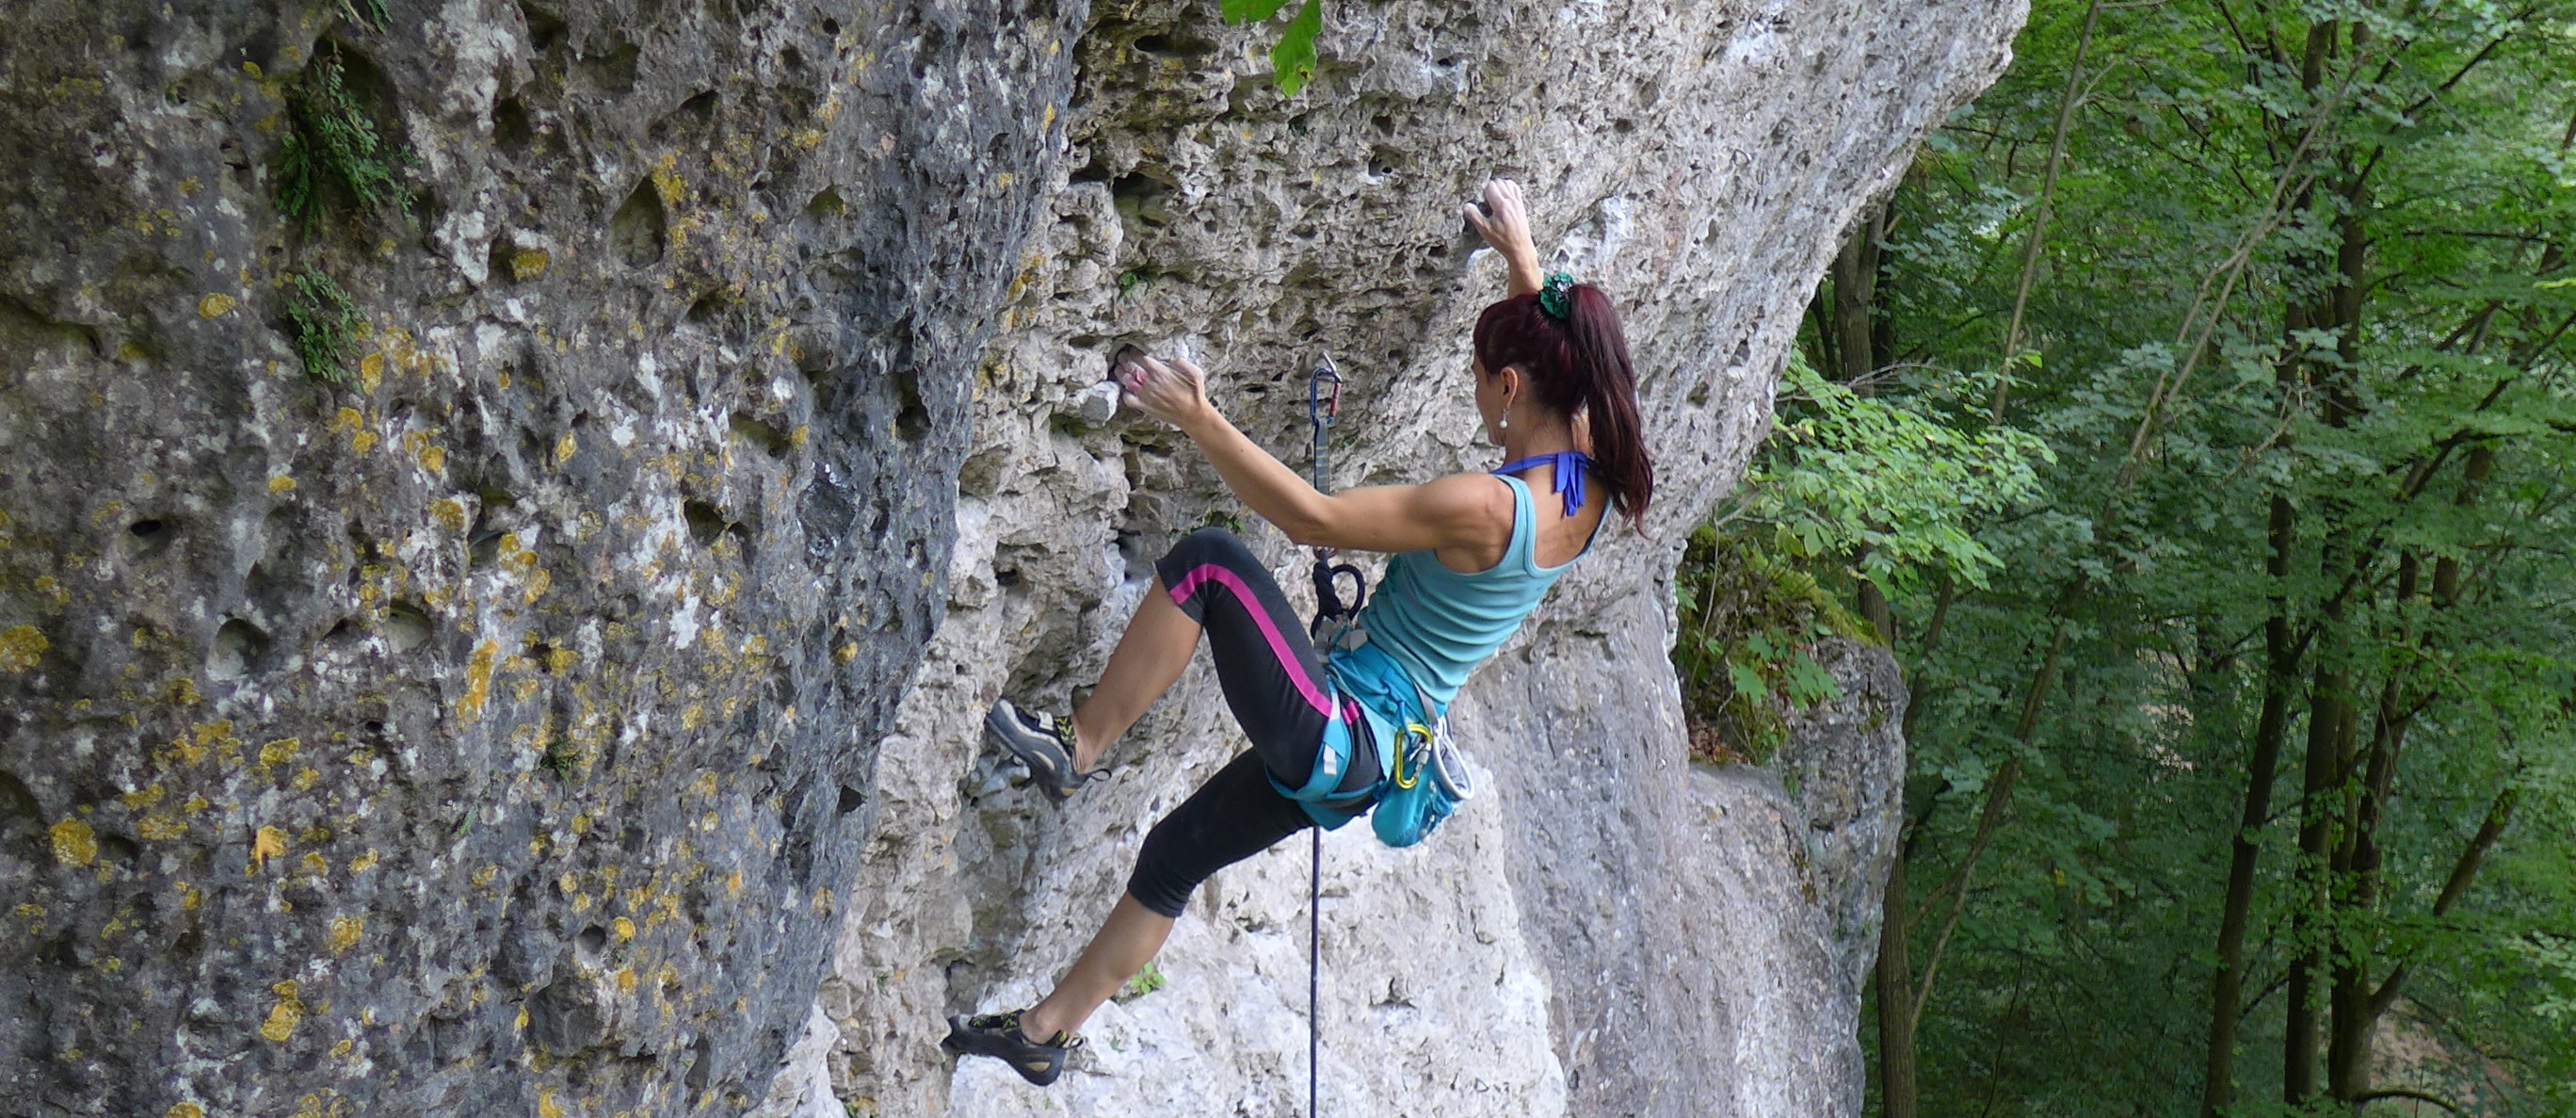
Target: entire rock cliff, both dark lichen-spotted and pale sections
x,y
524,723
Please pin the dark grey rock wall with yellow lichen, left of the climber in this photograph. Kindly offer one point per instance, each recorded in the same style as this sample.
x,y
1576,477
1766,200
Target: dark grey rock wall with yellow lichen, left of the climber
x,y
491,733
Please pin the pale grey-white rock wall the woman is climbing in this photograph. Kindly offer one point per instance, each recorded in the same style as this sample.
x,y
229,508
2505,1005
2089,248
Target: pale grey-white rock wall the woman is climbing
x,y
1699,161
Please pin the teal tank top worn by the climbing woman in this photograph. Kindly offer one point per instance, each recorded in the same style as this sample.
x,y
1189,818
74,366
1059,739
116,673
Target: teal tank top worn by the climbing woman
x,y
1441,625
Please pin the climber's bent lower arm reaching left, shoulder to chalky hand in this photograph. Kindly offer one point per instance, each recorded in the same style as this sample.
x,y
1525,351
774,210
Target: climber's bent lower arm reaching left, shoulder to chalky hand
x,y
1462,511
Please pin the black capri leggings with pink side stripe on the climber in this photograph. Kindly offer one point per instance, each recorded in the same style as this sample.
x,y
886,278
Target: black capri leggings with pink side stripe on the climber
x,y
1276,687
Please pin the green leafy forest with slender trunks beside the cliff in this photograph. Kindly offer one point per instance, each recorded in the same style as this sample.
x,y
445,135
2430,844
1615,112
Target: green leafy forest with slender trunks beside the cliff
x,y
2199,426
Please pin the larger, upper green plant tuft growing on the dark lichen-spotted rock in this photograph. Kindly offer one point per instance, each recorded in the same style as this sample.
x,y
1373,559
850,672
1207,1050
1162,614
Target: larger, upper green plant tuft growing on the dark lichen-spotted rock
x,y
334,146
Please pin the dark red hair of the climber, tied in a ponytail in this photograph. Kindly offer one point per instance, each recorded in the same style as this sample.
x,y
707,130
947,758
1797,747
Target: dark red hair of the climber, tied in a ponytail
x,y
1578,367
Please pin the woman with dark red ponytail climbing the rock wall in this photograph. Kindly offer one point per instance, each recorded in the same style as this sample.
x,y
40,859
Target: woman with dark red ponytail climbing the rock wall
x,y
1472,555
